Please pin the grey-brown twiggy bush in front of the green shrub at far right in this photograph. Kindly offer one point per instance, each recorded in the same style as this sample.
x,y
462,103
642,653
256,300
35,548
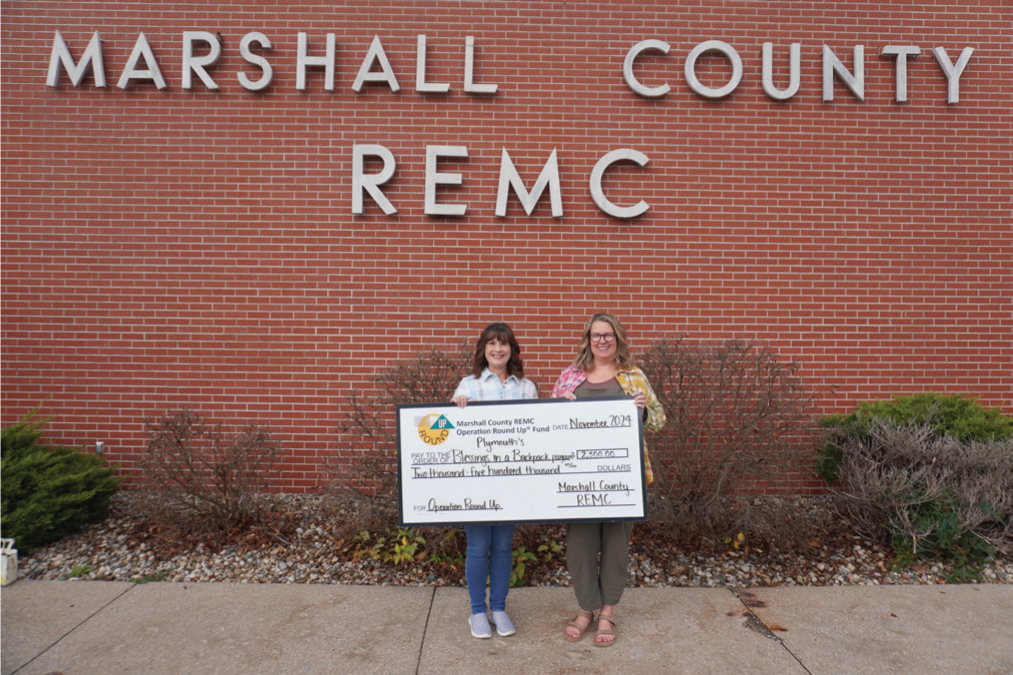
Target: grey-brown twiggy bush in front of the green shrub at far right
x,y
936,496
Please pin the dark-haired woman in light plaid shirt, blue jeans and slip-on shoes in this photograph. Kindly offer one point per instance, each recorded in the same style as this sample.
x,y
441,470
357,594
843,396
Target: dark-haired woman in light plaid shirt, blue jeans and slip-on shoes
x,y
498,374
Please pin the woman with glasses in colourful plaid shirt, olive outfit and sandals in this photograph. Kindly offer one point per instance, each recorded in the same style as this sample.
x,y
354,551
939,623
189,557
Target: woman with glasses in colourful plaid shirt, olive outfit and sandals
x,y
597,553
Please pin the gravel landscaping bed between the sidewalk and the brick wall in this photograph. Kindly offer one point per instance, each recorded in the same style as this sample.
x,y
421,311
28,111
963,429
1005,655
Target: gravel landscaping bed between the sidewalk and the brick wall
x,y
309,554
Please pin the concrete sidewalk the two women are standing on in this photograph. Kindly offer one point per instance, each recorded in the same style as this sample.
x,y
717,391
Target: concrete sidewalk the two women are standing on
x,y
82,628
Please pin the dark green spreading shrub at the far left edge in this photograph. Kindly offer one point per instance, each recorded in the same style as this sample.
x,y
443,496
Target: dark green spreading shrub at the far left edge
x,y
49,492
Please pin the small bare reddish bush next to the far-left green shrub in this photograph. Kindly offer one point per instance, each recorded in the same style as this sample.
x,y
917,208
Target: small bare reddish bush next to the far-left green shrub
x,y
199,479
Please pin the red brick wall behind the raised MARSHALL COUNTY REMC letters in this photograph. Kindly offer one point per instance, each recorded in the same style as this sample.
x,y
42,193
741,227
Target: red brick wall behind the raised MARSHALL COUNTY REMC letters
x,y
198,248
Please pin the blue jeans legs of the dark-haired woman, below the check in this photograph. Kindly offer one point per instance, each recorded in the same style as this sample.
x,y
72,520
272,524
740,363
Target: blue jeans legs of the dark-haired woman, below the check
x,y
490,557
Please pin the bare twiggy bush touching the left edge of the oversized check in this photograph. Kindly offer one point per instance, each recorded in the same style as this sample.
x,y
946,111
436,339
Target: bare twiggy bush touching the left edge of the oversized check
x,y
365,470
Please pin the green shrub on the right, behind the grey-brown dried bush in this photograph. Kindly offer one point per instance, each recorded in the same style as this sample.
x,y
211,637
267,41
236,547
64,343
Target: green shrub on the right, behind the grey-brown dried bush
x,y
964,419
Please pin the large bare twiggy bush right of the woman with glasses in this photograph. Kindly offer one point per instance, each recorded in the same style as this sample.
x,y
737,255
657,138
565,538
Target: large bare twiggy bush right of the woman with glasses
x,y
738,417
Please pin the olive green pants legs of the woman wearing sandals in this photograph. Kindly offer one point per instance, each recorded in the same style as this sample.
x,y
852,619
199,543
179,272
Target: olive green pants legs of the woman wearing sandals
x,y
597,581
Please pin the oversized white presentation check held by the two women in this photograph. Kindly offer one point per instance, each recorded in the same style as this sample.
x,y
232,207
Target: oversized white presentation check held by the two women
x,y
523,462
